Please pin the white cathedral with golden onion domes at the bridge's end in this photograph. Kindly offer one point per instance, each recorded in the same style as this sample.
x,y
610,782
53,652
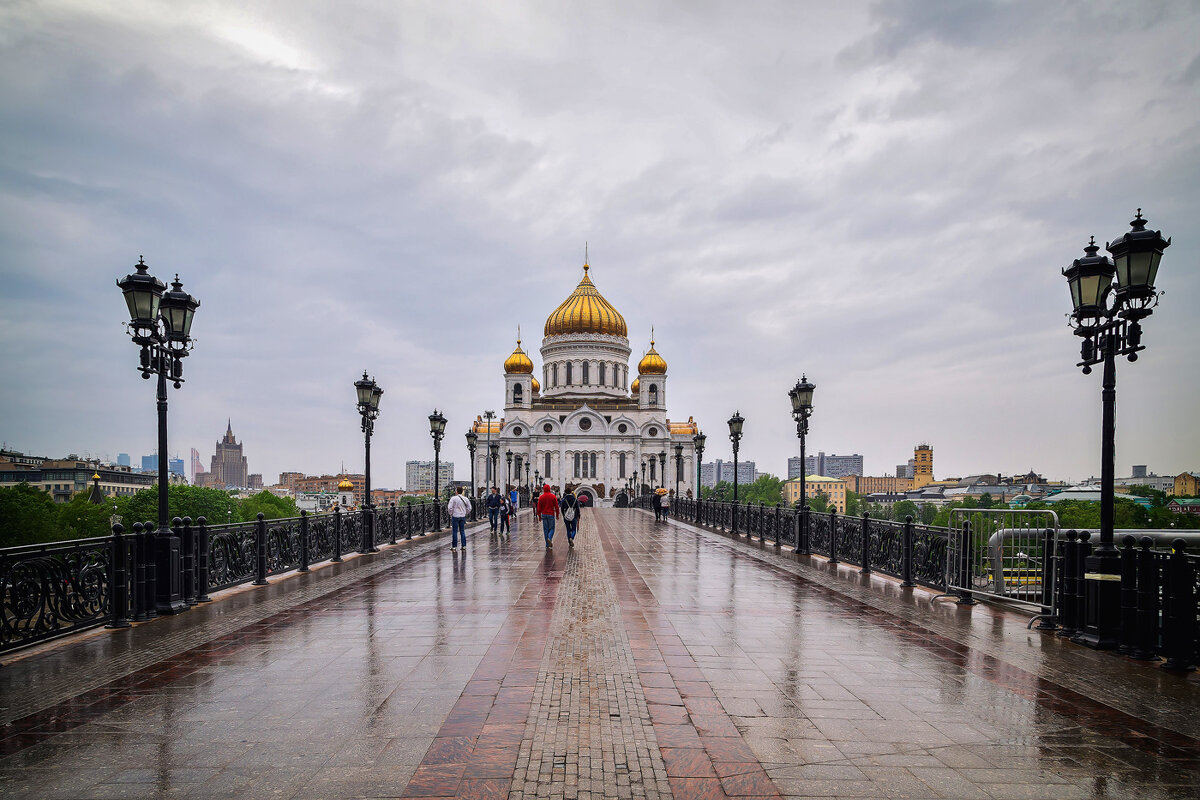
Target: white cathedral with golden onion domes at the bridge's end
x,y
585,425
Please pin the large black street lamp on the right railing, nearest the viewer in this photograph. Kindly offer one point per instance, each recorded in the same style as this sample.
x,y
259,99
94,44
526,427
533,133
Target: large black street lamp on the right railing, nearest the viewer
x,y
1107,316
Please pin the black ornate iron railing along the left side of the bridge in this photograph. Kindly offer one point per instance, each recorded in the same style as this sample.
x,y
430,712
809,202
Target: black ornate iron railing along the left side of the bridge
x,y
50,591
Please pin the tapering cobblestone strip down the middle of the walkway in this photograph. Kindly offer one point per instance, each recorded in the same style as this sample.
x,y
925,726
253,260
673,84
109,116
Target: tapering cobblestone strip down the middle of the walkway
x,y
590,732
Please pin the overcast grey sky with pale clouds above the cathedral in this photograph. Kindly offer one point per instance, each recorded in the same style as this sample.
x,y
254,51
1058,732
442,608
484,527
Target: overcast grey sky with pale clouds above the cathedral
x,y
878,195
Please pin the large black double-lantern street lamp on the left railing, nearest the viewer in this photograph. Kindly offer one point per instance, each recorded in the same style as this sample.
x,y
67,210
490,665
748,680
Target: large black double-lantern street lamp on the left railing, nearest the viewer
x,y
160,324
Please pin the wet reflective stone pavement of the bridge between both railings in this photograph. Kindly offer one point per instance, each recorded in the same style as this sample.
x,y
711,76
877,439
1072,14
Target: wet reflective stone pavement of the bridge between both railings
x,y
650,661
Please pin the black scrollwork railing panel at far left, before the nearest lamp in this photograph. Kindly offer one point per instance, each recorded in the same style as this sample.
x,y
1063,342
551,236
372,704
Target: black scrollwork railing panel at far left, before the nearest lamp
x,y
47,591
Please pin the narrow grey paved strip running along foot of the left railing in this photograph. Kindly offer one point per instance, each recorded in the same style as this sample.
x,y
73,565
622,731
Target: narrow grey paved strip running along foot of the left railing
x,y
33,682
